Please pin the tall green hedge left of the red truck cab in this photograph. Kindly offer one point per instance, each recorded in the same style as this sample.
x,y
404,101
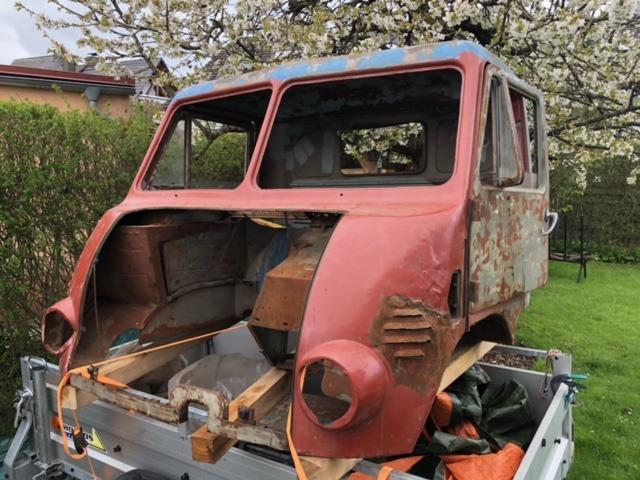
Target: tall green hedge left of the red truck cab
x,y
59,172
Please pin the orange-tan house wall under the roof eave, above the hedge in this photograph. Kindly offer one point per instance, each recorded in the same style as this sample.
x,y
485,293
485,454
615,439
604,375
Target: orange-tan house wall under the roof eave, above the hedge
x,y
115,105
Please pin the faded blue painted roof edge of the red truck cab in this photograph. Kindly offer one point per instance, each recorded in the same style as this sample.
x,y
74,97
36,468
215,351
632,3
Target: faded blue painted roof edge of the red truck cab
x,y
335,65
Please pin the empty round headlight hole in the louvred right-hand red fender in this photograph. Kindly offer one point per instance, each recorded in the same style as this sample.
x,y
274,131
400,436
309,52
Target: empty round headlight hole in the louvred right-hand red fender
x,y
326,391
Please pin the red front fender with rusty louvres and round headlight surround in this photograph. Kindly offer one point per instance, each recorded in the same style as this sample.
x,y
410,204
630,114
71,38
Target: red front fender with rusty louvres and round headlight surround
x,y
380,293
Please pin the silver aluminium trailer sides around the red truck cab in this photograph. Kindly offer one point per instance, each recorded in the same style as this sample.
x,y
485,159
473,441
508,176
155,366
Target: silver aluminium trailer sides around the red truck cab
x,y
120,441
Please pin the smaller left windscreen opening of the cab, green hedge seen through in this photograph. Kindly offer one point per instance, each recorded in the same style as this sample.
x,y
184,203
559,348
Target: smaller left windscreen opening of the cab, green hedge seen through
x,y
209,144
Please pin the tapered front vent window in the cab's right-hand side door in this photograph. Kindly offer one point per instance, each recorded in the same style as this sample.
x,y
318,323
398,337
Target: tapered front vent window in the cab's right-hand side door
x,y
501,162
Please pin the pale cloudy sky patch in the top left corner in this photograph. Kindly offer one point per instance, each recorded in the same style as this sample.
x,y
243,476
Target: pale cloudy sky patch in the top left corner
x,y
19,36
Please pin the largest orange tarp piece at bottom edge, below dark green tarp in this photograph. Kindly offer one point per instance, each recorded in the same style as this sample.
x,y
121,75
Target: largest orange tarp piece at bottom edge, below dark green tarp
x,y
502,465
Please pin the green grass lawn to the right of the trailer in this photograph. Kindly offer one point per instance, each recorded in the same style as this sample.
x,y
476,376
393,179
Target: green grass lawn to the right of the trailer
x,y
598,322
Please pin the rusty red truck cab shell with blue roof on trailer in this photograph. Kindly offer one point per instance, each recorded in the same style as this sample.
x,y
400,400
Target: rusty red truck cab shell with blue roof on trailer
x,y
362,214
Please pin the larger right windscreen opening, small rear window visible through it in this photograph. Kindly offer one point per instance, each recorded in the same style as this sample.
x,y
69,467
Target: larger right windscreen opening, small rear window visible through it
x,y
386,130
